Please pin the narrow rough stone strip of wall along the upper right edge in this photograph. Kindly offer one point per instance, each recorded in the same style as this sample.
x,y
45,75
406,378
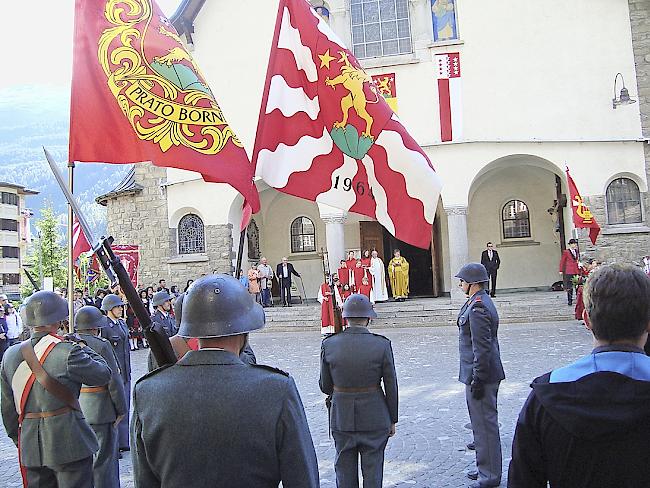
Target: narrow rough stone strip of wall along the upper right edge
x,y
640,22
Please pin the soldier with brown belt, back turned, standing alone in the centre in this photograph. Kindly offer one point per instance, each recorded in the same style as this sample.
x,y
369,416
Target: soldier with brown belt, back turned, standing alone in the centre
x,y
363,416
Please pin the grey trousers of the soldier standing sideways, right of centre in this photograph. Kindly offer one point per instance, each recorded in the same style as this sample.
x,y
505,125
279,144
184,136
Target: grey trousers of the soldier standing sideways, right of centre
x,y
485,424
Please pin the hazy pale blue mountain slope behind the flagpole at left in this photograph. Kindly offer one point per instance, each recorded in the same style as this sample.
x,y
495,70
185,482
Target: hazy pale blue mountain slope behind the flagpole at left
x,y
35,116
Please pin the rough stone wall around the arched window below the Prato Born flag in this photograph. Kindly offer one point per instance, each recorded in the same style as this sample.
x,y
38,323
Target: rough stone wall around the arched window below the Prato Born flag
x,y
142,219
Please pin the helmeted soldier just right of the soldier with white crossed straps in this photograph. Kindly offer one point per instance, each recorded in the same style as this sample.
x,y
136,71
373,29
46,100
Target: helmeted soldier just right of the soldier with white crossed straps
x,y
103,406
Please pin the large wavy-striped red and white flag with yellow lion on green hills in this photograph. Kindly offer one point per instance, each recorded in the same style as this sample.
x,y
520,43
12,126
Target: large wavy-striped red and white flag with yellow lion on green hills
x,y
326,133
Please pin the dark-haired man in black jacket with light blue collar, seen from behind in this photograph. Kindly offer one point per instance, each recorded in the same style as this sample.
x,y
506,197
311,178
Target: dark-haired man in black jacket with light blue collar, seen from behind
x,y
588,424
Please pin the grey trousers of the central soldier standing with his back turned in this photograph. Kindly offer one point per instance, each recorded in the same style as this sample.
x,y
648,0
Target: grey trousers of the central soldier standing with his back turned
x,y
349,445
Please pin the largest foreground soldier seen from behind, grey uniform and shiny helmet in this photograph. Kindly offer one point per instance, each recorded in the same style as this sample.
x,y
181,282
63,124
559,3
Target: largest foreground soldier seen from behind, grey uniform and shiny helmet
x,y
247,426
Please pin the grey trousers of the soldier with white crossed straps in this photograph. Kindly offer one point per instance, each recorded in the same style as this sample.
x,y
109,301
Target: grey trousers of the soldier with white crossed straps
x,y
72,475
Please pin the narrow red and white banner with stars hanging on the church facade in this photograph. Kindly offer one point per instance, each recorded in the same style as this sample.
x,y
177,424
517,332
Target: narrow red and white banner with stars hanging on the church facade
x,y
449,96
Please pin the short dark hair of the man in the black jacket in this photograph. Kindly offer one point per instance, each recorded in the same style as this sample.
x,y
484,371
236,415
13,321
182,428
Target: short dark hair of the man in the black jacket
x,y
617,300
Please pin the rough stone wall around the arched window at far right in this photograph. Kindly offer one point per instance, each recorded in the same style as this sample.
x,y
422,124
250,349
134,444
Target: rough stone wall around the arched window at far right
x,y
623,248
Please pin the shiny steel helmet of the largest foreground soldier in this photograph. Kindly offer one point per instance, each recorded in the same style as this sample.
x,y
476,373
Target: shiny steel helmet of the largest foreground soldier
x,y
218,306
